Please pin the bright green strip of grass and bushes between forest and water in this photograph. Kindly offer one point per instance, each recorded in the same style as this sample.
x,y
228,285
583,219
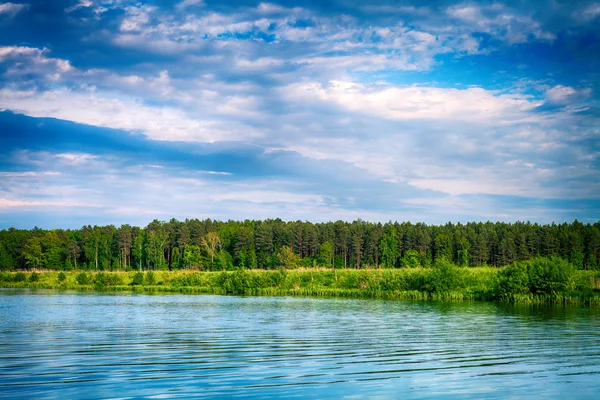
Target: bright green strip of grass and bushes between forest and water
x,y
443,281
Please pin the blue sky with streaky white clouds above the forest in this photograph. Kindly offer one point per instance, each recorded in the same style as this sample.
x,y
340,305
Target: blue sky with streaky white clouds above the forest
x,y
116,111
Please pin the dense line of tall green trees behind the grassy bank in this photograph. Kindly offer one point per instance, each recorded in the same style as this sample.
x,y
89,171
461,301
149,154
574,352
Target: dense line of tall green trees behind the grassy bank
x,y
273,243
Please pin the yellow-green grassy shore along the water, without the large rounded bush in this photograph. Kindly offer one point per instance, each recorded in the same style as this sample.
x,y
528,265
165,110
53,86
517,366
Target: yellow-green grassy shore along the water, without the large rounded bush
x,y
481,283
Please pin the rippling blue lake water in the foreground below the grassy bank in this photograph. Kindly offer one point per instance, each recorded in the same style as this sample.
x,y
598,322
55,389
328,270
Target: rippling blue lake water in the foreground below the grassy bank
x,y
89,345
